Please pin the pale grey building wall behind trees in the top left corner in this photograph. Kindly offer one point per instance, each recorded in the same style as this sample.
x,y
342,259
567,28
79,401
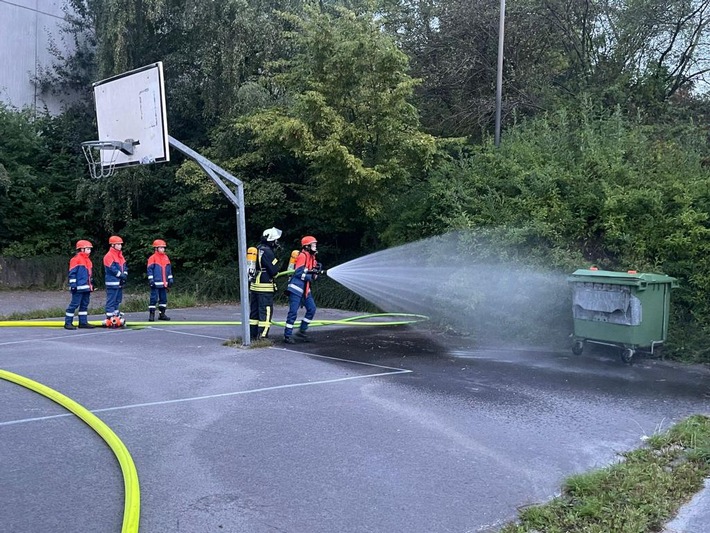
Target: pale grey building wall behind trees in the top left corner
x,y
27,28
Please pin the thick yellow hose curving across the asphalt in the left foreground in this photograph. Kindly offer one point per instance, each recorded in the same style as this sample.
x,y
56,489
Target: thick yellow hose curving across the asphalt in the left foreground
x,y
131,507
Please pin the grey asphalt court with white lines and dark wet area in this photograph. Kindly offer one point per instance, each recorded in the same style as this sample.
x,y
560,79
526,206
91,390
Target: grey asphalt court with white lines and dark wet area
x,y
368,429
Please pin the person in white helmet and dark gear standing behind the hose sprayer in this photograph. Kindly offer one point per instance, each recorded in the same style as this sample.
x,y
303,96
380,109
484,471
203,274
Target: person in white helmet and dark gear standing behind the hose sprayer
x,y
263,287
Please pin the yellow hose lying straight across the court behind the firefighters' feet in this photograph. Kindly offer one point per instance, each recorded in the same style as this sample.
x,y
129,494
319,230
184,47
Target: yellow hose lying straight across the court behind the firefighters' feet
x,y
360,320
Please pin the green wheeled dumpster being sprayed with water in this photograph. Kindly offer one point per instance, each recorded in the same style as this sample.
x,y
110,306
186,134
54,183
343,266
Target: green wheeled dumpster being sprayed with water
x,y
628,310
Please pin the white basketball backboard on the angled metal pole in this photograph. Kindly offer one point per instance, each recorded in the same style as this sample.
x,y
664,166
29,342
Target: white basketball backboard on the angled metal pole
x,y
130,110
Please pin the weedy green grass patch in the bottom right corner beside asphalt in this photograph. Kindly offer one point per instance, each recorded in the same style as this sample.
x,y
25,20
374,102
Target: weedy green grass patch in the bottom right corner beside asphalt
x,y
638,495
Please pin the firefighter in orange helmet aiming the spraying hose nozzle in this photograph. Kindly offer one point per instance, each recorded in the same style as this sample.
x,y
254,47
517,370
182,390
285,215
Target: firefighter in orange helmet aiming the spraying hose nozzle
x,y
299,289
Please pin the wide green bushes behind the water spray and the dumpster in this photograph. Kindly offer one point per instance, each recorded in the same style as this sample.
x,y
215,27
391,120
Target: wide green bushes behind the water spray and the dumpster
x,y
569,190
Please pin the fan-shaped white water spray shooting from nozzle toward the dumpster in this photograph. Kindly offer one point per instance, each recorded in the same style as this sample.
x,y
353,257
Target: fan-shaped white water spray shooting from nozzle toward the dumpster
x,y
452,280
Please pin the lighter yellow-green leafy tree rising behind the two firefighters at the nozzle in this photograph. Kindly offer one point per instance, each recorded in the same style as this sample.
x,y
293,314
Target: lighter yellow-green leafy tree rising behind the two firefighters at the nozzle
x,y
347,119
